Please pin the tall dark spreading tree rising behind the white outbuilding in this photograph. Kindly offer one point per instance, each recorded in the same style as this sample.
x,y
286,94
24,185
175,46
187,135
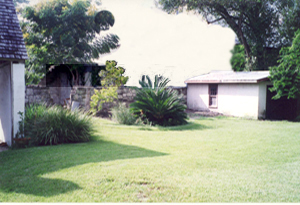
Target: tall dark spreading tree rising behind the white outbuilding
x,y
255,22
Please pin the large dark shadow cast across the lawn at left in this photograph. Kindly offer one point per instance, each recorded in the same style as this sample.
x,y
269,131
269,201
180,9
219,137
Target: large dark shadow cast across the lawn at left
x,y
21,170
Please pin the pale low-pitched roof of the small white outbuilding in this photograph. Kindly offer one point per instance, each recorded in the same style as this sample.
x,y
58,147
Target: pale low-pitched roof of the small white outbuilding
x,y
230,77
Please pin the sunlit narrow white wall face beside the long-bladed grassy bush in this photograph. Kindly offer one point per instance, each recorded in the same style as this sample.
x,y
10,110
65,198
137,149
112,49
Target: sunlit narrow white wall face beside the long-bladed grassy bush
x,y
18,93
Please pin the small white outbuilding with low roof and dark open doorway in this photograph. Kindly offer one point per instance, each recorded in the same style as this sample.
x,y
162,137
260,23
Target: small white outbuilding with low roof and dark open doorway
x,y
241,94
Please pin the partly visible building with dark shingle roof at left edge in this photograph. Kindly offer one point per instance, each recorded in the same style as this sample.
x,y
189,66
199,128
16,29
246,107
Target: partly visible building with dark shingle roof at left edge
x,y
12,66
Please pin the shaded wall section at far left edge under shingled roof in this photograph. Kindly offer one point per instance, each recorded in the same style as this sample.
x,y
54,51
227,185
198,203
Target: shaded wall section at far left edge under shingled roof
x,y
5,104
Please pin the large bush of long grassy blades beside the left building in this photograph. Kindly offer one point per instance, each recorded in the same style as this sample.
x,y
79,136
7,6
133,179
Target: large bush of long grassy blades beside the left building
x,y
55,125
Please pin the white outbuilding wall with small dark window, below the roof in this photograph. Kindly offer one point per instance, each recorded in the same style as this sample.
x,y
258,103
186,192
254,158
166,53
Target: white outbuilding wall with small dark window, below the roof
x,y
241,100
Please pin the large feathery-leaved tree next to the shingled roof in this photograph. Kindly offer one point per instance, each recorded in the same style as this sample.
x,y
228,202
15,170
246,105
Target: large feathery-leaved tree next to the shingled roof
x,y
65,32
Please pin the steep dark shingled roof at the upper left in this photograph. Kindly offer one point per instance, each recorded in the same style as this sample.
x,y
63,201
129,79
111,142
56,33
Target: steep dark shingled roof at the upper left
x,y
12,44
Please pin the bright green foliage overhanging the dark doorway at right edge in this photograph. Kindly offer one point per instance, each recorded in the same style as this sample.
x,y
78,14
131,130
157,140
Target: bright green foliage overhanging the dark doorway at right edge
x,y
286,76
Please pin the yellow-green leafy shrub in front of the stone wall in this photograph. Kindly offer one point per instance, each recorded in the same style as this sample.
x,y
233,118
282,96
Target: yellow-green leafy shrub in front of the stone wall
x,y
112,78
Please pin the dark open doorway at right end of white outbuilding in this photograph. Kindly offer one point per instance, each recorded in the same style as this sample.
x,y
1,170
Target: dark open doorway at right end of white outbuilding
x,y
281,109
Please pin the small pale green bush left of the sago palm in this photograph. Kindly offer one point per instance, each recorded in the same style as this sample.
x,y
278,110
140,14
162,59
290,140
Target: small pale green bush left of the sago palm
x,y
123,115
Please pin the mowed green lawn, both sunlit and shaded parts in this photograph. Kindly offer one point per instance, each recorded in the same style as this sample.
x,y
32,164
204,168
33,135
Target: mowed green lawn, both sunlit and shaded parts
x,y
208,160
